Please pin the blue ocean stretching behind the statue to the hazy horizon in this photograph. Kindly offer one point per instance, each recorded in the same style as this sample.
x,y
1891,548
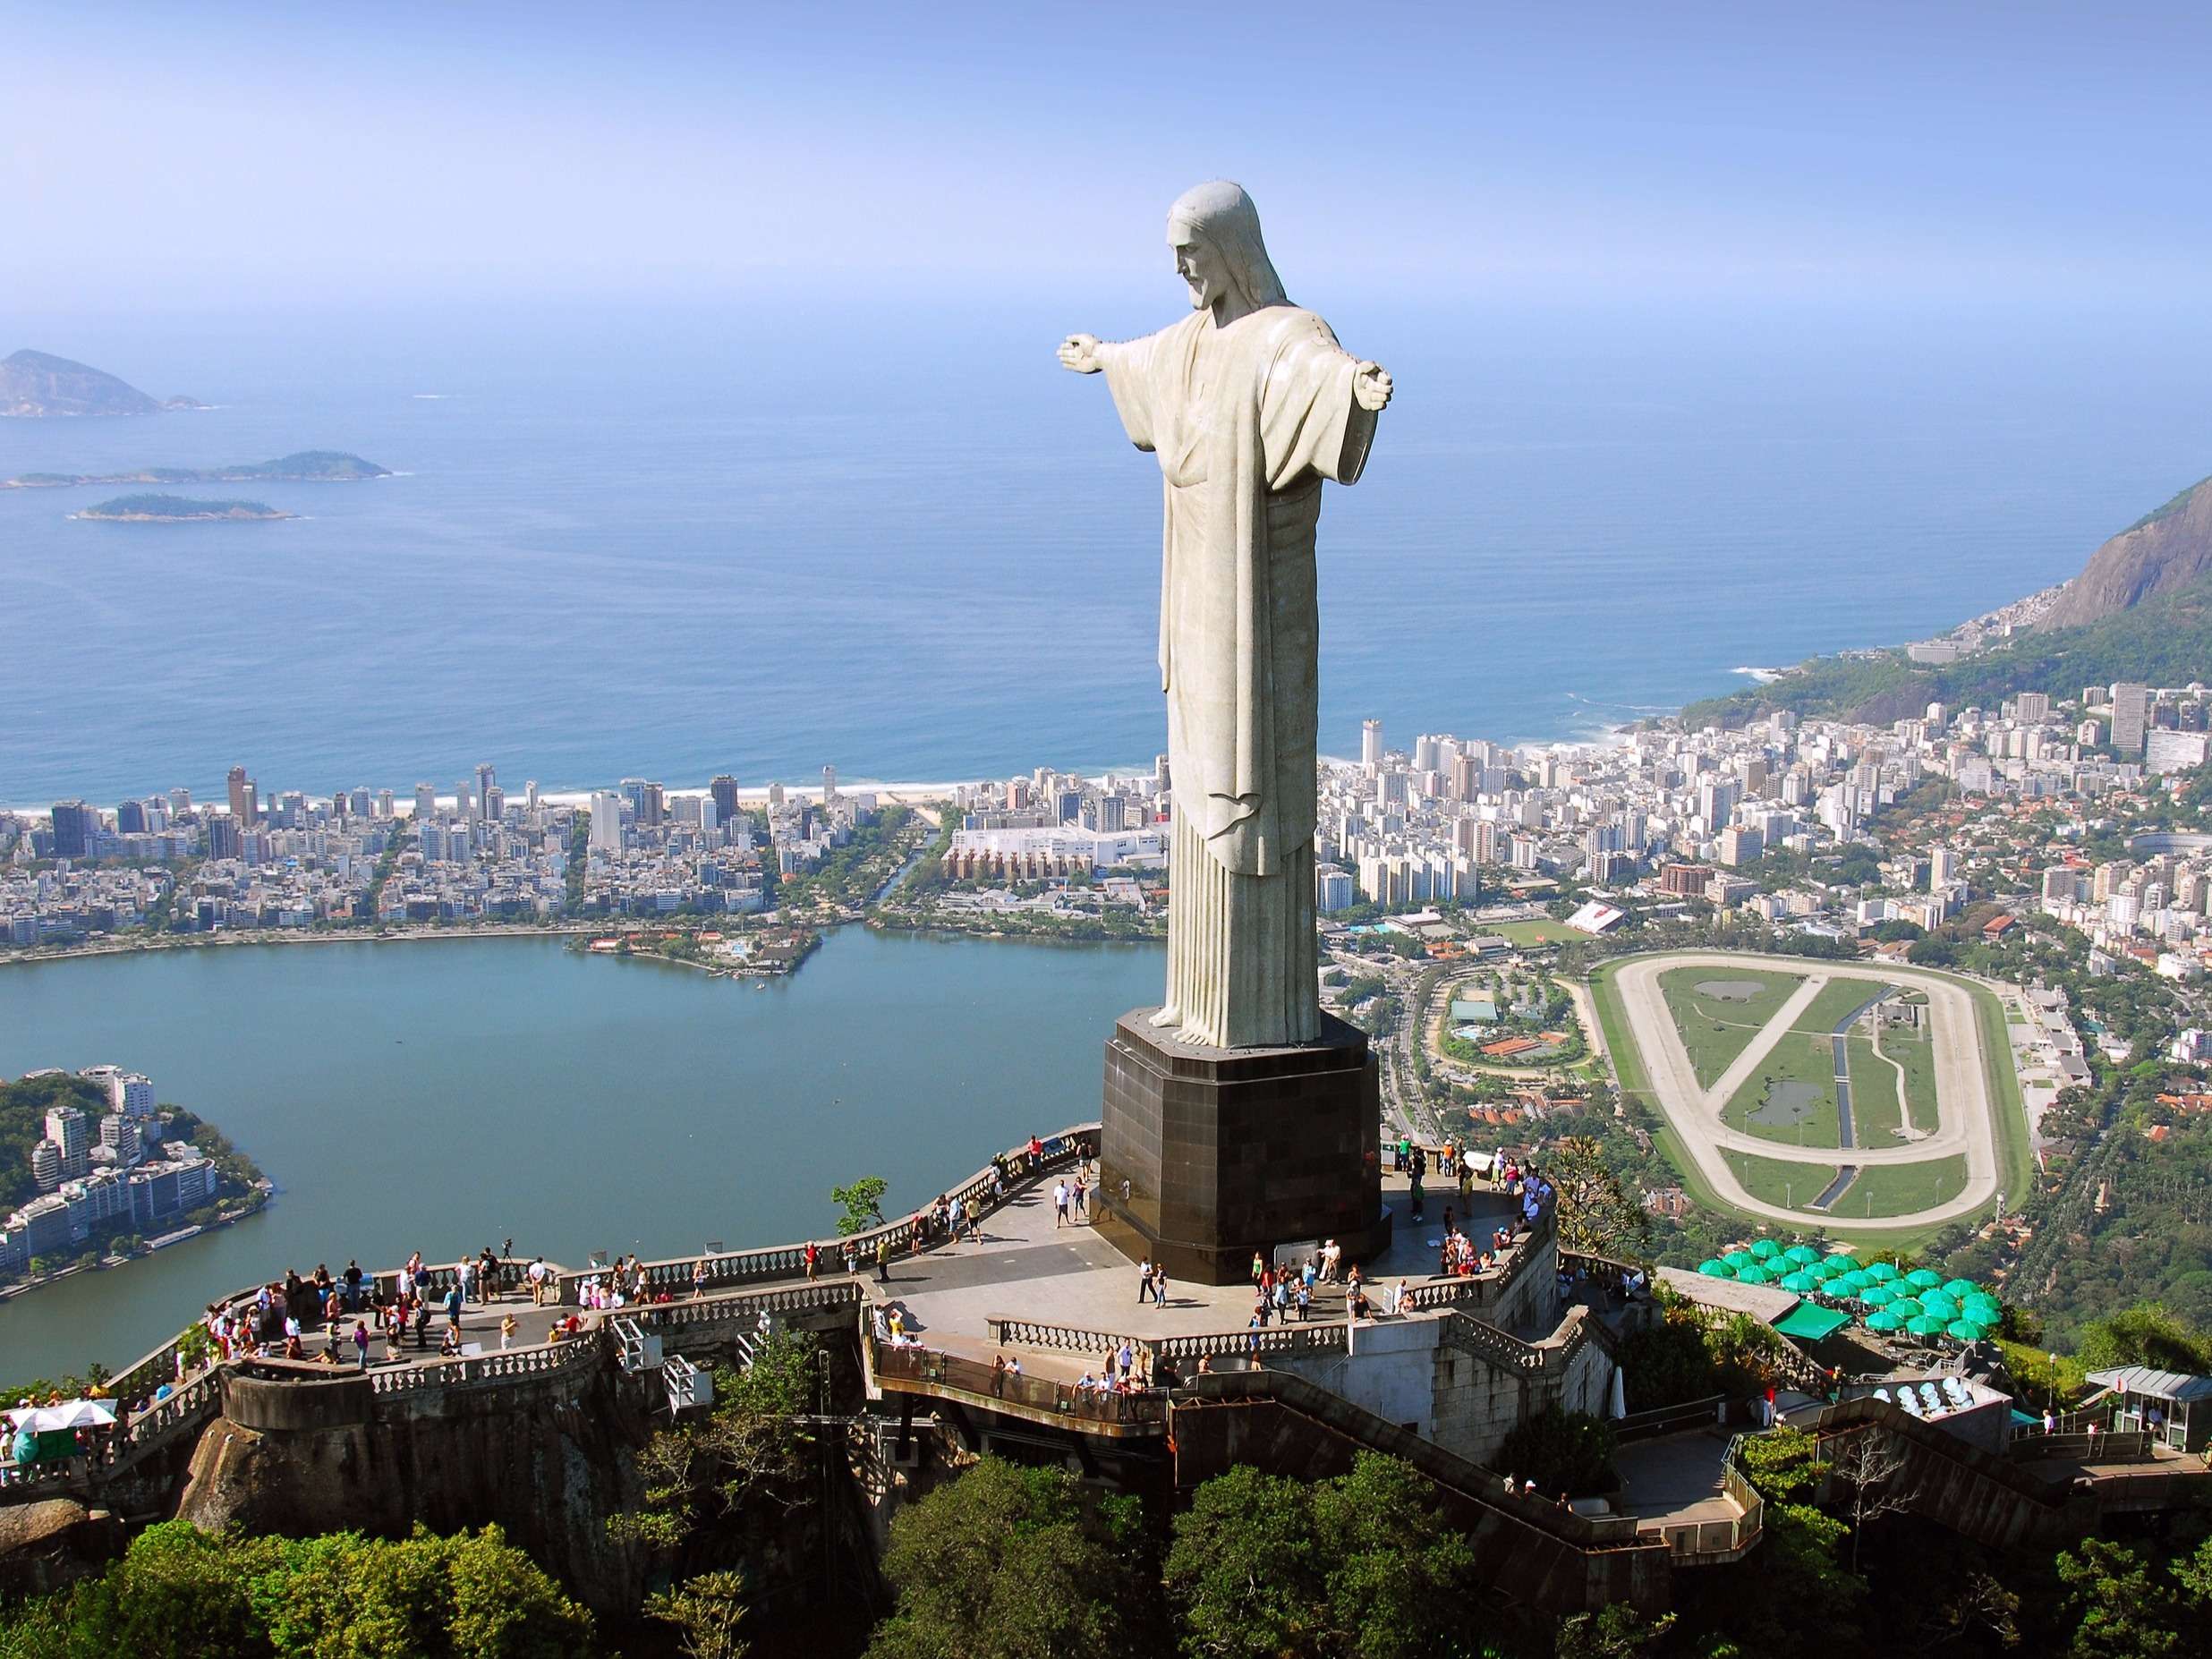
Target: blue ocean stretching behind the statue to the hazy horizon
x,y
895,536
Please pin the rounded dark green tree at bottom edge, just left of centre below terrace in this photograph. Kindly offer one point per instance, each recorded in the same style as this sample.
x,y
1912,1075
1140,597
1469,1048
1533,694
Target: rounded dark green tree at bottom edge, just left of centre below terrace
x,y
1016,1563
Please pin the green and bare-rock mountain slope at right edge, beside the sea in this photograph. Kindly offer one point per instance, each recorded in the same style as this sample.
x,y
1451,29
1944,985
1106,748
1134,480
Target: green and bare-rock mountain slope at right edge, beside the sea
x,y
2140,612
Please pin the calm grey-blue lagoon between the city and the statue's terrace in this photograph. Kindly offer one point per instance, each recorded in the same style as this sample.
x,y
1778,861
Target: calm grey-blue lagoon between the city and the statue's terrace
x,y
450,1094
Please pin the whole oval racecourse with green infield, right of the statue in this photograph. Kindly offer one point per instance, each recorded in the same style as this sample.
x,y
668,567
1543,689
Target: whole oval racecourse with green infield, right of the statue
x,y
1848,1096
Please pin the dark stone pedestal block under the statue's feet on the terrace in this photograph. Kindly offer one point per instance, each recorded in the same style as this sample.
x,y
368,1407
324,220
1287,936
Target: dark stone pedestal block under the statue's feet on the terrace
x,y
1229,1151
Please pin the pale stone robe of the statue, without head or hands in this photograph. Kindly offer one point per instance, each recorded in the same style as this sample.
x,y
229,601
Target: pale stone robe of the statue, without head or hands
x,y
1246,424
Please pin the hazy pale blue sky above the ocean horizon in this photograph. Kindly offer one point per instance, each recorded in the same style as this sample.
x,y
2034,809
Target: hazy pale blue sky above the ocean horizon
x,y
240,156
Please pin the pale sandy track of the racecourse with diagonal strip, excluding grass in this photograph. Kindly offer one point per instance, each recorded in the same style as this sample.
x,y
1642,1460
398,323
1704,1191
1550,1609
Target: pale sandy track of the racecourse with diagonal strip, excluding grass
x,y
1965,1114
